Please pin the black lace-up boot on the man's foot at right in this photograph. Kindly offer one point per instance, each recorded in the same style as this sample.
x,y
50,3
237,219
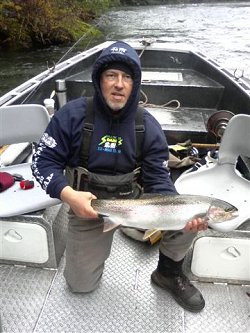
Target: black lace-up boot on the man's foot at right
x,y
169,276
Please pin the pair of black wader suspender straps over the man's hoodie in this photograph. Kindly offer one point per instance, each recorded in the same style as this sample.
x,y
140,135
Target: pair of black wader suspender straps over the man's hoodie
x,y
88,129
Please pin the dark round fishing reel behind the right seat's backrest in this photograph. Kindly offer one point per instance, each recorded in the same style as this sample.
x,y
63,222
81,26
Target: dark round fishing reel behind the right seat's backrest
x,y
217,123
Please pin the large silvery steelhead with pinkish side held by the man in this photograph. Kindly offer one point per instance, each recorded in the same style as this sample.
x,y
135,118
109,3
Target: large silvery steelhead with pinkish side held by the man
x,y
163,212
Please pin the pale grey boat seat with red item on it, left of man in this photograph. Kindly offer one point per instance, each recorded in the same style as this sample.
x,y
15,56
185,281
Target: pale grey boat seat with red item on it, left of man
x,y
22,123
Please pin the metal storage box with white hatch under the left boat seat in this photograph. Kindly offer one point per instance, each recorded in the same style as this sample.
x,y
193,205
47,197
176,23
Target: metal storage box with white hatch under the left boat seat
x,y
37,239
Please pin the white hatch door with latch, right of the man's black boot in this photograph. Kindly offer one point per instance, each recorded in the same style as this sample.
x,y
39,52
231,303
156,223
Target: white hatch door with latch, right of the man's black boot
x,y
216,258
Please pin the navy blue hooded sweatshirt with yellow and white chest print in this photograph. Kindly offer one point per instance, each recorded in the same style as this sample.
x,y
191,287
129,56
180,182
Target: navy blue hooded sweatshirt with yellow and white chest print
x,y
113,146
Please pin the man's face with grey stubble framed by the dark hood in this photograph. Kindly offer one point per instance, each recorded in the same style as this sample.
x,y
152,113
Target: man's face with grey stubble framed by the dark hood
x,y
116,87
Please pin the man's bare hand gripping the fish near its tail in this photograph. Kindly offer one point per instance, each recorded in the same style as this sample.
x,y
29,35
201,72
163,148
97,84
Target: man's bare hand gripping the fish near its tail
x,y
80,202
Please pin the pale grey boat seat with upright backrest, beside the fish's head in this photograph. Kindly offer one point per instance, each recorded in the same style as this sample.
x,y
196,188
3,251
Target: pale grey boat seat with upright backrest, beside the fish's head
x,y
222,180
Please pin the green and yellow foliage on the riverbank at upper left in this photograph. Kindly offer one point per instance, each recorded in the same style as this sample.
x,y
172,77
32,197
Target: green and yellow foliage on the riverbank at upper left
x,y
42,23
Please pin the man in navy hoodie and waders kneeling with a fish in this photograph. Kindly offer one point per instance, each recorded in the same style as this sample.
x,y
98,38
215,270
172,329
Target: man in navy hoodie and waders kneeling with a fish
x,y
96,142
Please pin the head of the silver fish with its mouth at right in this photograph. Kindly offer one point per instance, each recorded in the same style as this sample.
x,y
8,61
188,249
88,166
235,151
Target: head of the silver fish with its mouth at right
x,y
221,211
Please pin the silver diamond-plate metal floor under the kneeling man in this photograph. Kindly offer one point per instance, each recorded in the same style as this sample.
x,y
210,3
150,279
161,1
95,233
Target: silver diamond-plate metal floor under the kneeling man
x,y
38,300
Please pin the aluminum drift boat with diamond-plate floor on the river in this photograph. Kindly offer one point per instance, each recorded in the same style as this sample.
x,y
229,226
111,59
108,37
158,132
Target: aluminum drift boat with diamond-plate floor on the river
x,y
193,98
